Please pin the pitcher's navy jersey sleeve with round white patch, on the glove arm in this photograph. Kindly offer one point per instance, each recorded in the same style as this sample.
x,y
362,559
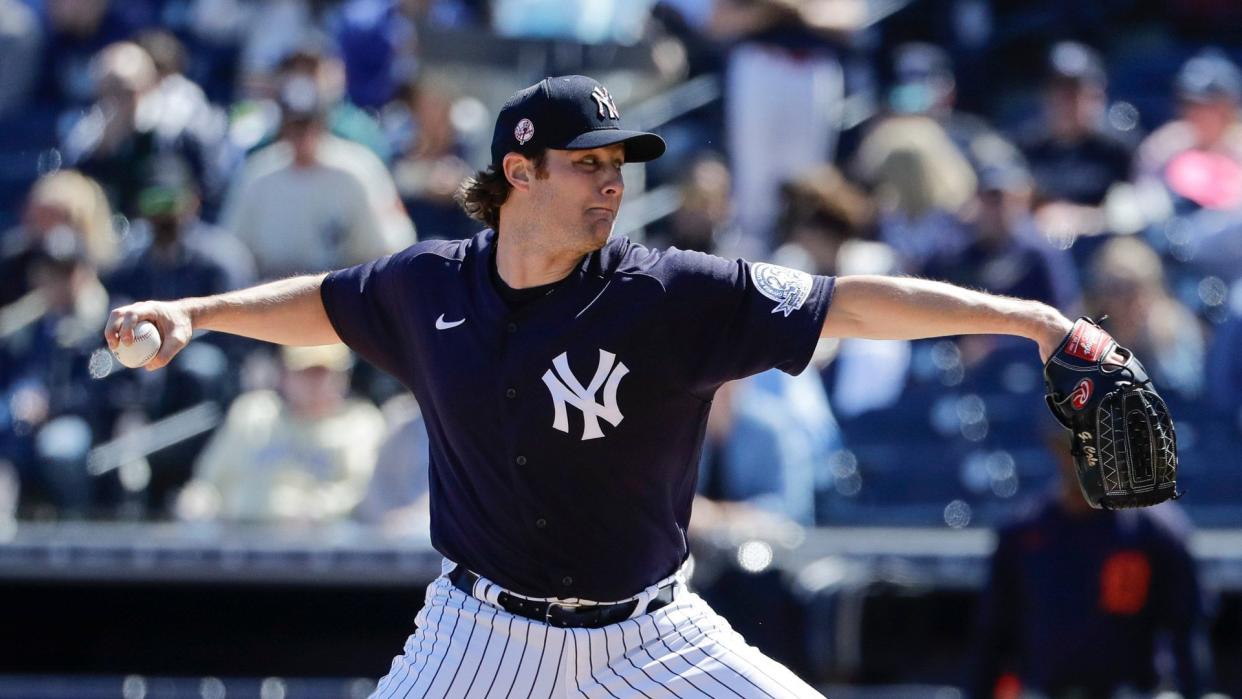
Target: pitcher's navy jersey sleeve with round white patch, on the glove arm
x,y
737,318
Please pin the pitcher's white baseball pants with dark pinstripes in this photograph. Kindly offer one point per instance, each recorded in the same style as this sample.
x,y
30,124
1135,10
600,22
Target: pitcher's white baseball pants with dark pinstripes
x,y
468,649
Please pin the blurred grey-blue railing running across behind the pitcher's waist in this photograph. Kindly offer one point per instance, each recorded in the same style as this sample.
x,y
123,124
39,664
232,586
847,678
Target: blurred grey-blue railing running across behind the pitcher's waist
x,y
353,554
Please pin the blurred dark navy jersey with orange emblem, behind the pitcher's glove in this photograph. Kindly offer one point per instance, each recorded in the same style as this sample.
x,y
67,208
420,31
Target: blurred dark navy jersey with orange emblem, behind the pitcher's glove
x,y
1075,604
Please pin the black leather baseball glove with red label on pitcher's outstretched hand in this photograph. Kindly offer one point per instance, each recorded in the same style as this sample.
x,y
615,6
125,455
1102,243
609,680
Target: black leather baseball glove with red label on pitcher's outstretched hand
x,y
1123,440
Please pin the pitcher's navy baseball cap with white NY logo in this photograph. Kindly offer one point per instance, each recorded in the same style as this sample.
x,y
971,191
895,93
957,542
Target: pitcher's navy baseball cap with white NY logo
x,y
567,114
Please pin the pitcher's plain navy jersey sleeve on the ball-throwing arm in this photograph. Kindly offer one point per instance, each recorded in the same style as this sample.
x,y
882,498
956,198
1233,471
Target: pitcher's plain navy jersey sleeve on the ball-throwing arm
x,y
363,304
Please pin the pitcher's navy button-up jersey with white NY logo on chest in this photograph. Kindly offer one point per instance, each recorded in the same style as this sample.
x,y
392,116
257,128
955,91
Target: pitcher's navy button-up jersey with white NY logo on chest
x,y
566,435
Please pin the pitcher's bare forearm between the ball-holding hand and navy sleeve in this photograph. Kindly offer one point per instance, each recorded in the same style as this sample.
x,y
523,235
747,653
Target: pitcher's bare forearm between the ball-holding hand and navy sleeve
x,y
288,312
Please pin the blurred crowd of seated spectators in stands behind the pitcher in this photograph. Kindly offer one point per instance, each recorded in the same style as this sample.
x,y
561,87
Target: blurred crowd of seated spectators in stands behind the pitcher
x,y
1086,155
